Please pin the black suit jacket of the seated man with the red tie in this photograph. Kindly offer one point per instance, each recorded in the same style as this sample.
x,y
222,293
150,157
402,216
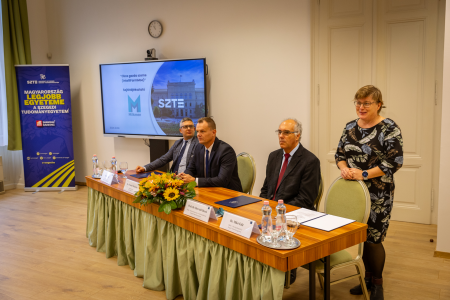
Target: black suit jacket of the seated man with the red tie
x,y
300,183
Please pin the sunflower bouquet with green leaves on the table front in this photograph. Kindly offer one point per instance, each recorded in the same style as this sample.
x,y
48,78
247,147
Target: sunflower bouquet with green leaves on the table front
x,y
165,189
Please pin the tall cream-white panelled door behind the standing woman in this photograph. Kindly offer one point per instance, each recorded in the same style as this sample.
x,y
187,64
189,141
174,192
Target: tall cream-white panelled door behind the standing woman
x,y
391,44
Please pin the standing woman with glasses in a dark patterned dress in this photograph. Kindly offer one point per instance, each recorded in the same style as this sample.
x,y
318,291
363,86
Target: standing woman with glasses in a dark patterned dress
x,y
371,149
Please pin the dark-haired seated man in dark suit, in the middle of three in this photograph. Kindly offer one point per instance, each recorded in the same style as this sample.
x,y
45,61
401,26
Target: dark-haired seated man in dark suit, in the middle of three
x,y
214,163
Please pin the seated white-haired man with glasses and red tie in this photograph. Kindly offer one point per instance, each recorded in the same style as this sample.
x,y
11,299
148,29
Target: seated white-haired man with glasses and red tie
x,y
292,172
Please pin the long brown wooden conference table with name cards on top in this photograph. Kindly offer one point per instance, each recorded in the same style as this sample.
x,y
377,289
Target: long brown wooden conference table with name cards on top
x,y
315,244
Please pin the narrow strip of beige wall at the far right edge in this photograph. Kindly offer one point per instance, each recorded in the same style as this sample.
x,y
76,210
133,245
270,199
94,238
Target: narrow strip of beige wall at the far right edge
x,y
443,222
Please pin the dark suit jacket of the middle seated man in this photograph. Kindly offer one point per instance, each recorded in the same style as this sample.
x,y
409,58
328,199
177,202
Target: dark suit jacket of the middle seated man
x,y
222,167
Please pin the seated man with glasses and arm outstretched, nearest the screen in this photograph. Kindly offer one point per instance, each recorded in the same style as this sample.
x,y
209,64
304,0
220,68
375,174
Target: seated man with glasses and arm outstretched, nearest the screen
x,y
180,152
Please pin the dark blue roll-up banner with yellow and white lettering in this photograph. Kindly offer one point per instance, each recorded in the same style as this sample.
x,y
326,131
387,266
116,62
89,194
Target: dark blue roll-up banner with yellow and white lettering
x,y
46,122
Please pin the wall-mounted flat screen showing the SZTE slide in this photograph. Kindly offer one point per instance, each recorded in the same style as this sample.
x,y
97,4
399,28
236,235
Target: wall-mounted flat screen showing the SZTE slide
x,y
149,99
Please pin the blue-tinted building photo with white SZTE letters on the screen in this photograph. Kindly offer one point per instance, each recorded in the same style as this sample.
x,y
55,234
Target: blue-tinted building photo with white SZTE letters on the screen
x,y
178,91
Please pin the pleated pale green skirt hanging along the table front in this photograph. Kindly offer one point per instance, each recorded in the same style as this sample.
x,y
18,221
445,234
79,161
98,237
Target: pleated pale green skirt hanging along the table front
x,y
173,259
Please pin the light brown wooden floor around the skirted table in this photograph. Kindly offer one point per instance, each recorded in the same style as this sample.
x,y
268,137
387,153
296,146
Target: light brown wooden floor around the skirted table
x,y
44,254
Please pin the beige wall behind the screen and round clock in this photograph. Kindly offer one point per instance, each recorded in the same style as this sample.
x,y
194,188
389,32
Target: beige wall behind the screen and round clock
x,y
258,54
